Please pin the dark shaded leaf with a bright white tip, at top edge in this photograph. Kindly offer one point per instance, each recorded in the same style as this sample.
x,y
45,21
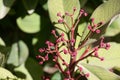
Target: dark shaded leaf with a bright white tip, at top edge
x,y
30,5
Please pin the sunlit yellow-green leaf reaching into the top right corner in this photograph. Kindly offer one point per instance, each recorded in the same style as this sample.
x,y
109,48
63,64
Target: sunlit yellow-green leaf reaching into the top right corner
x,y
106,11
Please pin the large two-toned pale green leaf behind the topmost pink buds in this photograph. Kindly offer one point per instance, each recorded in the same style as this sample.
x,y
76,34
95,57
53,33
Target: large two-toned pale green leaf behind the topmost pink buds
x,y
62,6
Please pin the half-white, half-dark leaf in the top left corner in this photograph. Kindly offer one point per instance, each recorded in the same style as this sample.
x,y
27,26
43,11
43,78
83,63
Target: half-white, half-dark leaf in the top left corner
x,y
5,6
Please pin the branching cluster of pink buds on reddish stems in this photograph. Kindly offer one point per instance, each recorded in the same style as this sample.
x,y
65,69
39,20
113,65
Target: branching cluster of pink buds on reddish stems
x,y
53,48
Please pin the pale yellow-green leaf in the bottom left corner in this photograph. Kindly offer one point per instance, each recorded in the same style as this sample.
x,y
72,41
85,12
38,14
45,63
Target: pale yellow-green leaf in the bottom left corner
x,y
5,73
